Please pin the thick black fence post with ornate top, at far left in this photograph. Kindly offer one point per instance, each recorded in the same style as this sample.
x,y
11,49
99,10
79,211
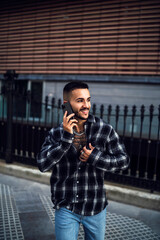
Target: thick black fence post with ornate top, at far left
x,y
9,78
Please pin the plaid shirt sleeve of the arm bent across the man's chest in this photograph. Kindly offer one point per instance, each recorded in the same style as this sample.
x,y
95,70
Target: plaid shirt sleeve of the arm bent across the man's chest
x,y
114,156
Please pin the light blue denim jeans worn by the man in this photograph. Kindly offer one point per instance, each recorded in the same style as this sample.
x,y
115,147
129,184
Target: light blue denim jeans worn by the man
x,y
67,225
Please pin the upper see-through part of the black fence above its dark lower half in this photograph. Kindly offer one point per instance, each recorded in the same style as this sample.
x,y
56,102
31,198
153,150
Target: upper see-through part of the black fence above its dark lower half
x,y
137,122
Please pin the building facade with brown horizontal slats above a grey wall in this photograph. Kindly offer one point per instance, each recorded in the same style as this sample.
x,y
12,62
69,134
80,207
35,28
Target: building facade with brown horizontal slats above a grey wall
x,y
112,45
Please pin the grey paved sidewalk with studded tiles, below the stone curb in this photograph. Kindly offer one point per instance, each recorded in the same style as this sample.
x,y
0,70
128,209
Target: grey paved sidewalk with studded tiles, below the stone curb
x,y
26,213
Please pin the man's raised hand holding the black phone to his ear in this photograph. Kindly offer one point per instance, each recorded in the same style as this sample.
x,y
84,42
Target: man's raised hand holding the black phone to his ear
x,y
69,122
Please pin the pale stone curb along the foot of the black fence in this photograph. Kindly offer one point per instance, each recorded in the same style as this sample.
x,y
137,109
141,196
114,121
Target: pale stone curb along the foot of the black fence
x,y
120,194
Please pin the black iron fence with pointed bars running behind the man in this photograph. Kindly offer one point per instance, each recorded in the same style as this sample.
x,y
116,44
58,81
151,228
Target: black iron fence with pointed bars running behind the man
x,y
22,135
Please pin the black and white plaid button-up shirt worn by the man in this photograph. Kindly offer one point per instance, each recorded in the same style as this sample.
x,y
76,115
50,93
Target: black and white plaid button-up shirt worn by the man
x,y
76,185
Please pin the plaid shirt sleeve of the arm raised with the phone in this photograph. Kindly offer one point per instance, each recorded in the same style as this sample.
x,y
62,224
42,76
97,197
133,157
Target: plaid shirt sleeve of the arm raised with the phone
x,y
53,150
